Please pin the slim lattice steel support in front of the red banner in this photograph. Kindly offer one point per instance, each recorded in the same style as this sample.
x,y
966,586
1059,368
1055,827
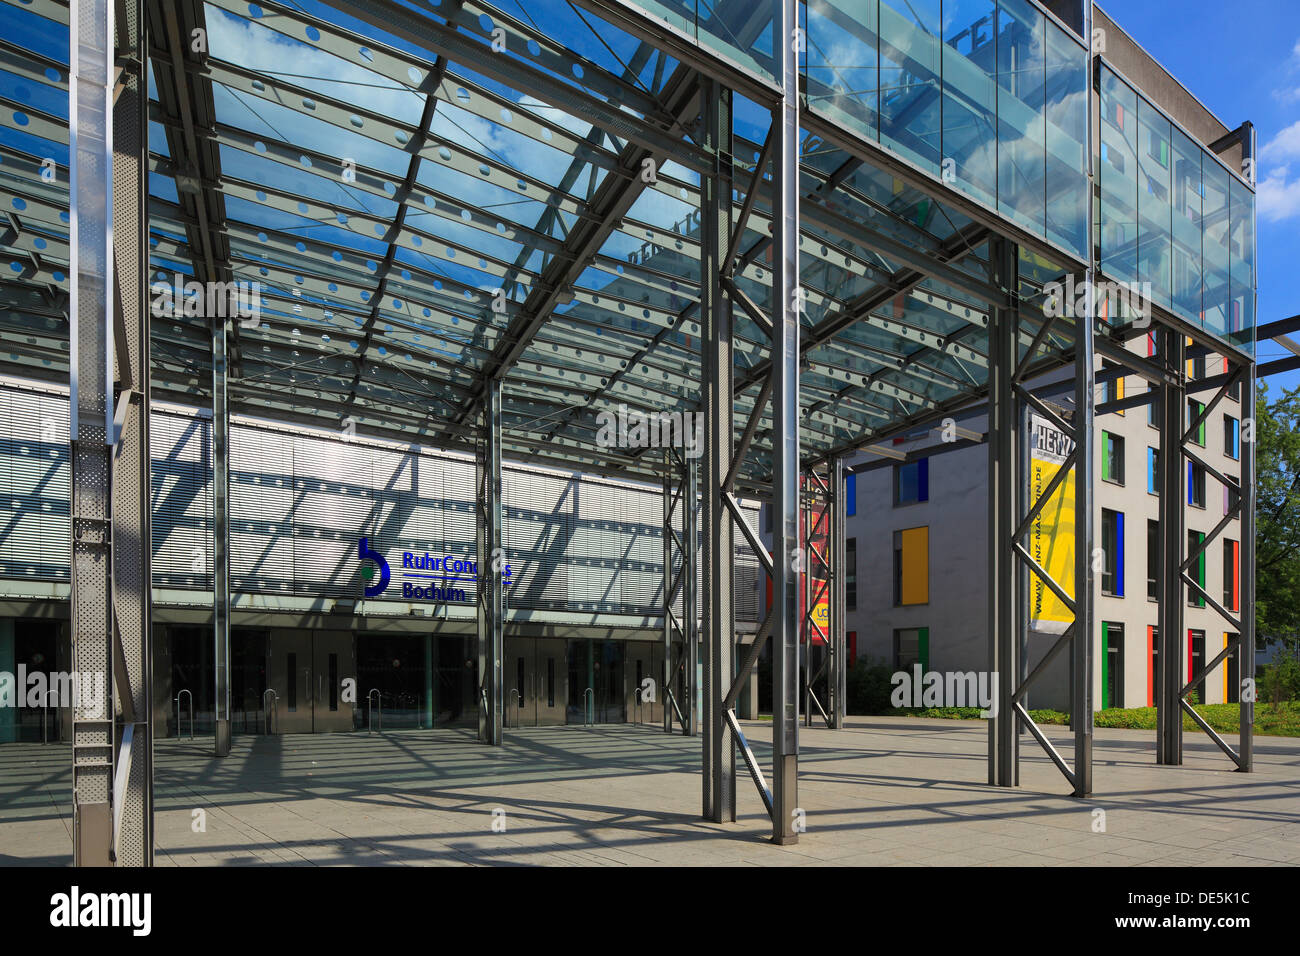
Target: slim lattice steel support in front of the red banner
x,y
824,585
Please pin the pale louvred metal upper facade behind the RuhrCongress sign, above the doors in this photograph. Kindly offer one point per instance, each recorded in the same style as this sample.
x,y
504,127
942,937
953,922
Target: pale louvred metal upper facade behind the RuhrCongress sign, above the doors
x,y
301,501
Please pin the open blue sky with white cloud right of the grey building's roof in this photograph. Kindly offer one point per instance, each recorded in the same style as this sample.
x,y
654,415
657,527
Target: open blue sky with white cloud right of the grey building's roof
x,y
1242,59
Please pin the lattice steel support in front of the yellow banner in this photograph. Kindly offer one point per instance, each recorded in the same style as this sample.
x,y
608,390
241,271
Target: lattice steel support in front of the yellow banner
x,y
1008,556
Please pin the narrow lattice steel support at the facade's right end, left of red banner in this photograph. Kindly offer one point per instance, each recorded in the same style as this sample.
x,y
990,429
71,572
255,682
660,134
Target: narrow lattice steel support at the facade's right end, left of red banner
x,y
681,616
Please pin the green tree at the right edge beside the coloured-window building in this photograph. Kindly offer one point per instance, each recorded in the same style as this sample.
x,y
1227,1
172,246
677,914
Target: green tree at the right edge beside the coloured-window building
x,y
1277,535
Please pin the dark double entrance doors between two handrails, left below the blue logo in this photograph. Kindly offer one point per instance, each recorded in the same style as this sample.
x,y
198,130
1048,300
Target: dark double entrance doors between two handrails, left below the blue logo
x,y
307,671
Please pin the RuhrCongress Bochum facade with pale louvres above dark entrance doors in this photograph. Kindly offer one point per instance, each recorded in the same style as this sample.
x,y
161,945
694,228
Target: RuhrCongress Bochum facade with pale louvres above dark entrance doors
x,y
584,581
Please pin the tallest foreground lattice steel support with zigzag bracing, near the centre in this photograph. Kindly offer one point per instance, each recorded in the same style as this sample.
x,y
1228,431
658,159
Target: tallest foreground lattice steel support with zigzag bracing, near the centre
x,y
725,457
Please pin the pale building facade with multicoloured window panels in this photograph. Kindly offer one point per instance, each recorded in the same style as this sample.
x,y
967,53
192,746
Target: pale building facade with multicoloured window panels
x,y
917,546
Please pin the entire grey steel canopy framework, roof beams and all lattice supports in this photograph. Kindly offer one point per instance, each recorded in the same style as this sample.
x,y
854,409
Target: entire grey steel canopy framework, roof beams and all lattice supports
x,y
877,330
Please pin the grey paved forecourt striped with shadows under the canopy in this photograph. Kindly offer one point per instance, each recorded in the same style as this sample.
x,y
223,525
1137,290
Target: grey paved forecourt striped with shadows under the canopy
x,y
885,791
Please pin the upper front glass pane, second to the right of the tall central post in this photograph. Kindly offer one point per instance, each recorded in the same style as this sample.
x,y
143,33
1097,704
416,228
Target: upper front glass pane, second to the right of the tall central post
x,y
911,86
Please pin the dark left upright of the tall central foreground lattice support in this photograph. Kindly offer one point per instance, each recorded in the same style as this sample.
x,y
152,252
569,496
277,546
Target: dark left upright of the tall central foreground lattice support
x,y
716,228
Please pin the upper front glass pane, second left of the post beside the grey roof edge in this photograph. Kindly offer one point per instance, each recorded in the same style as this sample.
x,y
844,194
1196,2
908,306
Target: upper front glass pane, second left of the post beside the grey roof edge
x,y
1022,114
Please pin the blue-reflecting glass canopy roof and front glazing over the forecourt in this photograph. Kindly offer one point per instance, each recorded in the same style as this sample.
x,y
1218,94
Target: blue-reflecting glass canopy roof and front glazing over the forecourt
x,y
434,194
